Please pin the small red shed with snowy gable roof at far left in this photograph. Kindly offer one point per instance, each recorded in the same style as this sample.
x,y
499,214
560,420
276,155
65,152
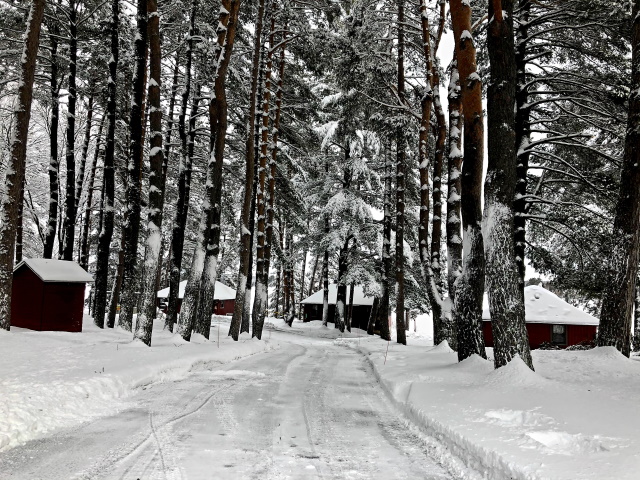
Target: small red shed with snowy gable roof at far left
x,y
48,295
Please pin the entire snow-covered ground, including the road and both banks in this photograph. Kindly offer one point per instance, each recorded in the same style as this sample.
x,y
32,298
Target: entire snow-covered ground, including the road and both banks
x,y
576,417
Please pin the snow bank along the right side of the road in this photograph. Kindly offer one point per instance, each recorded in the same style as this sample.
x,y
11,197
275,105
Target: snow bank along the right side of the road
x,y
575,417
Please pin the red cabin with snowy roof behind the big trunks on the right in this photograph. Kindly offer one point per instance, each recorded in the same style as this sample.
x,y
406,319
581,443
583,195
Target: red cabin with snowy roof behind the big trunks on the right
x,y
549,319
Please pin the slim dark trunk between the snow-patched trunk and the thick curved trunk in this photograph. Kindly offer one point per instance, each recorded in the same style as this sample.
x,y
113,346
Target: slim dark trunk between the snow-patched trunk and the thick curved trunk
x,y
184,184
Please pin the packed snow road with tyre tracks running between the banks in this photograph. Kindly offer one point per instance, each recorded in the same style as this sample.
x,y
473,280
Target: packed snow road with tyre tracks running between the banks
x,y
311,409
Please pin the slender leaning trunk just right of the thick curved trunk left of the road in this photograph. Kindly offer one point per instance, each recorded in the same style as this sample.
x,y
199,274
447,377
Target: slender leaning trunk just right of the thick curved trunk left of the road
x,y
245,234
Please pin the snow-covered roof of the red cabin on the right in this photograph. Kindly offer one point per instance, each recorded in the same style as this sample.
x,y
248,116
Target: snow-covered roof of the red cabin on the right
x,y
543,306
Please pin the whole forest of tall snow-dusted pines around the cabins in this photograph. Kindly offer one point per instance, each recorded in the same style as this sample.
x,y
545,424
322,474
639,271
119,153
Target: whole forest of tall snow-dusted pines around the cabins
x,y
285,145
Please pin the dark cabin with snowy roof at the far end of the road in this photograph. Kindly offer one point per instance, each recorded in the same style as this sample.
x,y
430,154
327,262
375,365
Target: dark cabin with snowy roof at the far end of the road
x,y
312,306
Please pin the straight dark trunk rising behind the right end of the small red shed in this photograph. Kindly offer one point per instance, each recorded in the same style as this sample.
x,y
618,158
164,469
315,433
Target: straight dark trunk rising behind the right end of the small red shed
x,y
70,198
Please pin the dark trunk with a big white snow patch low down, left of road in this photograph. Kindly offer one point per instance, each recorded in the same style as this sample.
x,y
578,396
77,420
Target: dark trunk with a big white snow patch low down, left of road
x,y
153,243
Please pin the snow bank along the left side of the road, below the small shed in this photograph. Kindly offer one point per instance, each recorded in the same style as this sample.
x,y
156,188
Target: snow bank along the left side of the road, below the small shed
x,y
57,379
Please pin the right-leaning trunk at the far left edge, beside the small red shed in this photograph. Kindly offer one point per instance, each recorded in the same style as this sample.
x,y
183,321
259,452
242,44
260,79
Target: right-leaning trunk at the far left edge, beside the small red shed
x,y
15,172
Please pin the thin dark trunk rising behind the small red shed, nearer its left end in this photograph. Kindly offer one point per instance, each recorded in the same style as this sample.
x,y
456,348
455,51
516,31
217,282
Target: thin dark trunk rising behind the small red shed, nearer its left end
x,y
54,162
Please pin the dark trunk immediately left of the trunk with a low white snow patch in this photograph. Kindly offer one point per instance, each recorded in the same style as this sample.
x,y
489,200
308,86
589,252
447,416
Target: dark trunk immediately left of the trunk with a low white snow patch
x,y
131,227
